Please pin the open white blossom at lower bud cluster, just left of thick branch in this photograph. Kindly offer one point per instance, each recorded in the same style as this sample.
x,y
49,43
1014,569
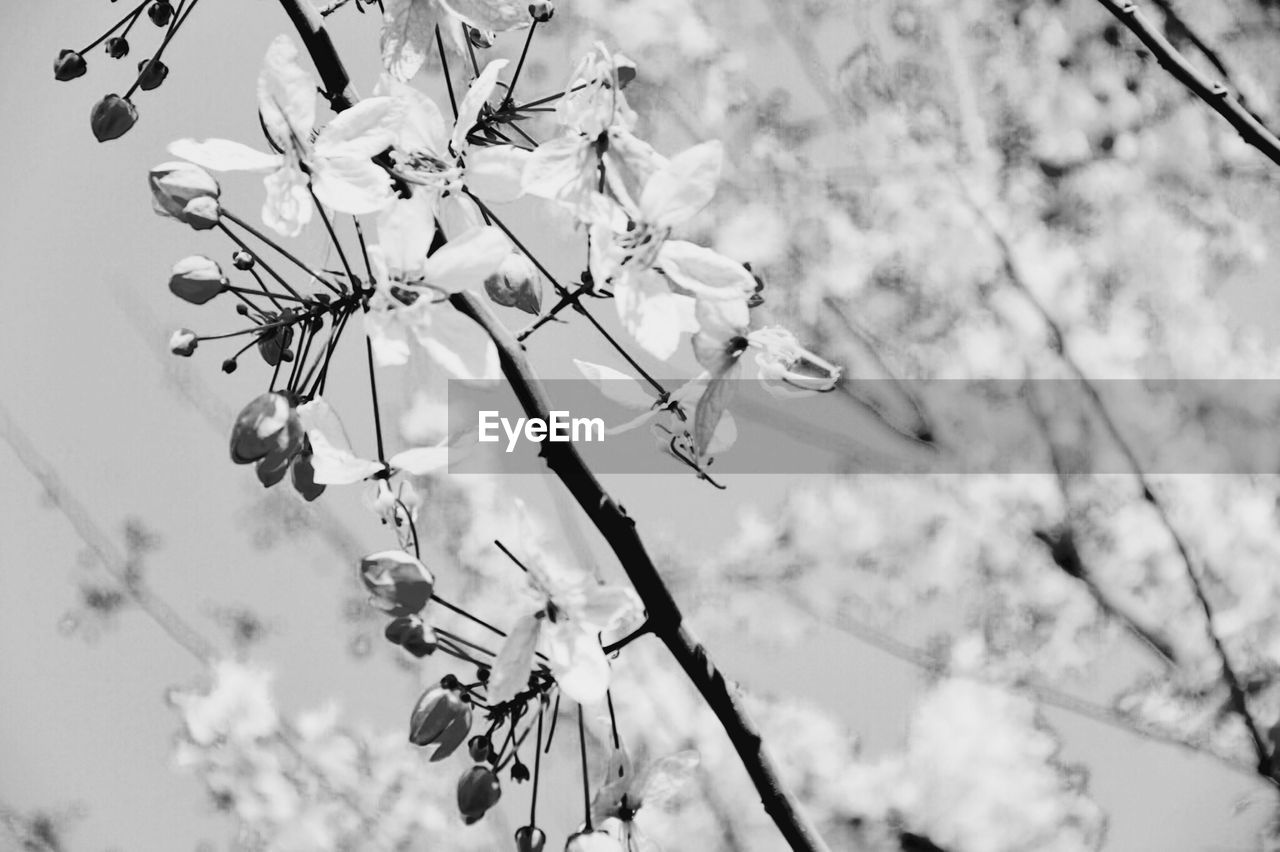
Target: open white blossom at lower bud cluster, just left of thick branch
x,y
569,610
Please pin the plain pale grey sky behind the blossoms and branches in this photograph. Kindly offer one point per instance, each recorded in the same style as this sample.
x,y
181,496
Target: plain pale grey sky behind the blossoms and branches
x,y
86,722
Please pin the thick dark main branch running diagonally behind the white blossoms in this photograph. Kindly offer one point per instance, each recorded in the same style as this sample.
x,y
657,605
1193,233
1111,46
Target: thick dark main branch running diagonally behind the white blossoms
x,y
610,519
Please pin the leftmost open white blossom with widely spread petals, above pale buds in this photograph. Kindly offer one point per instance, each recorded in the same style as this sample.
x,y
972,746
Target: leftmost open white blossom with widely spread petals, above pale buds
x,y
336,166
